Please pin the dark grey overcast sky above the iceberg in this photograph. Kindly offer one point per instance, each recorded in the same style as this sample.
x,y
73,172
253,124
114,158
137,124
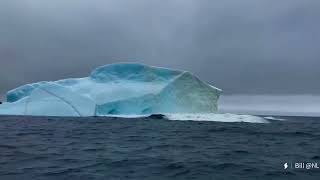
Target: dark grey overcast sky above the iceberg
x,y
242,47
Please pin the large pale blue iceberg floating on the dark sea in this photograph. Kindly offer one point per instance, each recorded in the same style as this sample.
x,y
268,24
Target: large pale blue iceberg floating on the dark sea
x,y
116,89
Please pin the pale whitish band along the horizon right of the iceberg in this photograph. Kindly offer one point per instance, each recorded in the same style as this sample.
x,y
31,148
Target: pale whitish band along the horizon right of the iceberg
x,y
291,105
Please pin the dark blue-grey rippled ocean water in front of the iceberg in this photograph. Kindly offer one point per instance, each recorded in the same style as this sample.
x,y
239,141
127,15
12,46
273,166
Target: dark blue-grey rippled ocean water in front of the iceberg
x,y
156,149
